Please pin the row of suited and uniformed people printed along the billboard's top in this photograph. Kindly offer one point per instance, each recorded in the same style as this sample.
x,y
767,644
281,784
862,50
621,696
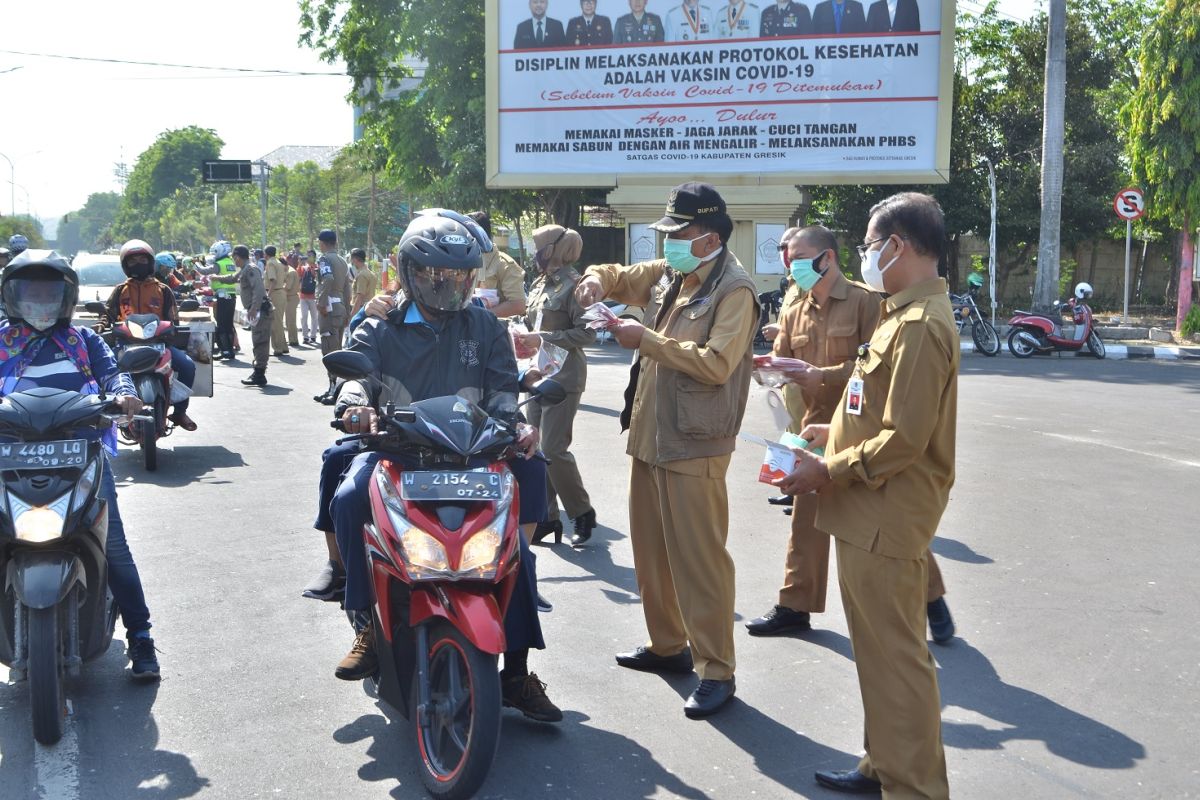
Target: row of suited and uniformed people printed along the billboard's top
x,y
695,22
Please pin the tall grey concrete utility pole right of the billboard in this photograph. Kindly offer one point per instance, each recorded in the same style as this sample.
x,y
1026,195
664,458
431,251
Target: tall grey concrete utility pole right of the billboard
x,y
1054,101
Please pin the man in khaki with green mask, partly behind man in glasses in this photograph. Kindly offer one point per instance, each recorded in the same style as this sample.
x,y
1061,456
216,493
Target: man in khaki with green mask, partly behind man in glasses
x,y
825,330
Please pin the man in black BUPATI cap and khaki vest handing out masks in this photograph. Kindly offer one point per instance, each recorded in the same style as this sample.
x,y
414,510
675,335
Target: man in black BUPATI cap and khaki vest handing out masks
x,y
688,394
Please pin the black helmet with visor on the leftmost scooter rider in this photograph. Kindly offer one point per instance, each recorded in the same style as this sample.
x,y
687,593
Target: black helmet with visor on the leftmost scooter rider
x,y
40,288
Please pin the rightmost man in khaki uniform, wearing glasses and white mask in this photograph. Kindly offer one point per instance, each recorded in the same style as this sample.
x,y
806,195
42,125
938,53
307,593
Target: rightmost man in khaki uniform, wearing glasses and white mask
x,y
884,485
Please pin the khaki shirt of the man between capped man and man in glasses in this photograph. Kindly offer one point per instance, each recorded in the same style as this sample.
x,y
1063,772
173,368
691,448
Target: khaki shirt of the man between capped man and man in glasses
x,y
827,336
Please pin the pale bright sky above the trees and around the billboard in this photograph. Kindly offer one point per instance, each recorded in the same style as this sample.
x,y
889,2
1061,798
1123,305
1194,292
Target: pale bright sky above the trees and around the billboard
x,y
68,123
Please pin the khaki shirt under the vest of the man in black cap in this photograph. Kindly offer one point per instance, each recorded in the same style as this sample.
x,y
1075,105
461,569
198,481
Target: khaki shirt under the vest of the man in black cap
x,y
713,363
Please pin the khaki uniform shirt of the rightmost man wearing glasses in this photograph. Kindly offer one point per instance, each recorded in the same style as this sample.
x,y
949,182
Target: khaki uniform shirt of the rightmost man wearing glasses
x,y
893,465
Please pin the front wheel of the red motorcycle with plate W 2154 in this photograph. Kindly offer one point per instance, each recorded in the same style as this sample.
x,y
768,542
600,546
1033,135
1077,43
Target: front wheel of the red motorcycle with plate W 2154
x,y
461,729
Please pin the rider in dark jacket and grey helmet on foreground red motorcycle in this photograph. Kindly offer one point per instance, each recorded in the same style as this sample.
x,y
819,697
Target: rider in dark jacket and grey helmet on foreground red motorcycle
x,y
436,344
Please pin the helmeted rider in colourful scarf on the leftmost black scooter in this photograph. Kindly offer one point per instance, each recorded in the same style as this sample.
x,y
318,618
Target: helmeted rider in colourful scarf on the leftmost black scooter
x,y
40,291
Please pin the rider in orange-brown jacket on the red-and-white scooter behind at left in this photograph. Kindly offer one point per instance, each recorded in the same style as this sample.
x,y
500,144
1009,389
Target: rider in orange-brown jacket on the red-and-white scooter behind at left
x,y
143,294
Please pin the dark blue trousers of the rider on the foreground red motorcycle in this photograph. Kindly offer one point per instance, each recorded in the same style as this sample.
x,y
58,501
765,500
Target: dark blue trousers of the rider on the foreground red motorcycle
x,y
351,510
